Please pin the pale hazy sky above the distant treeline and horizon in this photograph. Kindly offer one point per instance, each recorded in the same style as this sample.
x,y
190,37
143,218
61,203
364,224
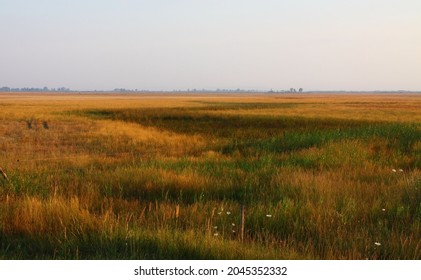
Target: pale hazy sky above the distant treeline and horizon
x,y
180,44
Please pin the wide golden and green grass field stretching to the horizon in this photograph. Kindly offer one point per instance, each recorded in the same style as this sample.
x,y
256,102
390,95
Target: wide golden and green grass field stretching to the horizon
x,y
167,176
